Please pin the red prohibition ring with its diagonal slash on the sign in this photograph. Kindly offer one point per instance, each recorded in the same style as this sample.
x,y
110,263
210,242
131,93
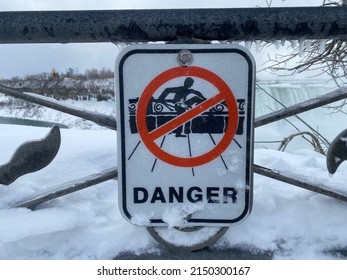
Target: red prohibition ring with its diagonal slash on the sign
x,y
224,94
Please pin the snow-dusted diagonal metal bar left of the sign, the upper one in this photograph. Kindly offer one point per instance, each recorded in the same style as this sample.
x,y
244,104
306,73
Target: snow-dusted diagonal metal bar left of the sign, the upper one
x,y
100,119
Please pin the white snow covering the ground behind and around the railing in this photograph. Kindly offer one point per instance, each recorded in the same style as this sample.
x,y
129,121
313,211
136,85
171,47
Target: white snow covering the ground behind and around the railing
x,y
290,222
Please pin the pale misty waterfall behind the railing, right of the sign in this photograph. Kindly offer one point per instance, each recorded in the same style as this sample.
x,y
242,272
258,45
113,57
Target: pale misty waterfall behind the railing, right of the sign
x,y
269,97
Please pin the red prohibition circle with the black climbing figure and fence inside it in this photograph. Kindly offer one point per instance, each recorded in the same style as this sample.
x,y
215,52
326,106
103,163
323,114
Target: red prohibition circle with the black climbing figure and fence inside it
x,y
187,109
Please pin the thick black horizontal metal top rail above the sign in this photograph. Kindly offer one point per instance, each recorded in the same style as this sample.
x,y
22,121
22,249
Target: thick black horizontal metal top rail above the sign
x,y
173,24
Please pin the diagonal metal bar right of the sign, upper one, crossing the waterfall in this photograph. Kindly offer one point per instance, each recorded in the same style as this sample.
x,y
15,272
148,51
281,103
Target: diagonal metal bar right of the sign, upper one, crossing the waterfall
x,y
307,105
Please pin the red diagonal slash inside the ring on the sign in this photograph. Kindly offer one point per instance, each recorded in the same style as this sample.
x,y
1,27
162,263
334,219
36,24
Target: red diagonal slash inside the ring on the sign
x,y
186,116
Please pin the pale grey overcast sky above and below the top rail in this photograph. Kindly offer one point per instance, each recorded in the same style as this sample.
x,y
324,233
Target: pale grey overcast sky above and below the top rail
x,y
24,59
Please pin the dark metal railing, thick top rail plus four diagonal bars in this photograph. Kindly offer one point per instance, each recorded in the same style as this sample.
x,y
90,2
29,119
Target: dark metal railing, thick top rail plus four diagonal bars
x,y
178,25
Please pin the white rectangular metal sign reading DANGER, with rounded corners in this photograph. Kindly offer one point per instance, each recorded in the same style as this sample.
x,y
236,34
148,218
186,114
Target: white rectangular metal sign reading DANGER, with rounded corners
x,y
185,134
